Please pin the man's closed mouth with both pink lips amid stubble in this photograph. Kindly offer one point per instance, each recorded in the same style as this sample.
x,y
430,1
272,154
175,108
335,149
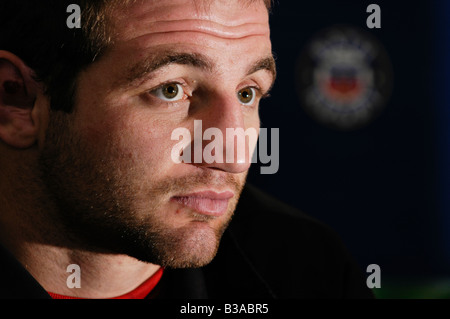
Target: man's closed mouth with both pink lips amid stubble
x,y
208,203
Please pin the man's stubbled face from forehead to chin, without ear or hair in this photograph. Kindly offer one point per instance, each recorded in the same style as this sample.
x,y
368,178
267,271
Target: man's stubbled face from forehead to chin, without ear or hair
x,y
109,165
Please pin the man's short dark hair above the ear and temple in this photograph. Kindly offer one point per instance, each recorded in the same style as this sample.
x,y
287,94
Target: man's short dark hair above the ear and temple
x,y
36,31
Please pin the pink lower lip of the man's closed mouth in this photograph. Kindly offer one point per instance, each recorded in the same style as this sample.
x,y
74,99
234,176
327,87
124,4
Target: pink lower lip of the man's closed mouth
x,y
203,205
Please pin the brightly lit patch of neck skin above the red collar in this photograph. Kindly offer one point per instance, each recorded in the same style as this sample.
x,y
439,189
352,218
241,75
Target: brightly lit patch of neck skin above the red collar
x,y
99,275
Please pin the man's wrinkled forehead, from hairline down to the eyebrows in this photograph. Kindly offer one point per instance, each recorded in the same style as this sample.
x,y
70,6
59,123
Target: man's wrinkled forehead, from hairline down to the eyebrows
x,y
232,36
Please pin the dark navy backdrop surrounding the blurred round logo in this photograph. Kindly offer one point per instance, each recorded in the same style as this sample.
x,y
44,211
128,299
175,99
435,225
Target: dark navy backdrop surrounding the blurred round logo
x,y
383,186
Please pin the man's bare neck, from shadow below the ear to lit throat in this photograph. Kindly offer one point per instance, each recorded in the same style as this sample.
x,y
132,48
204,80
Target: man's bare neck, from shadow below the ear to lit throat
x,y
30,229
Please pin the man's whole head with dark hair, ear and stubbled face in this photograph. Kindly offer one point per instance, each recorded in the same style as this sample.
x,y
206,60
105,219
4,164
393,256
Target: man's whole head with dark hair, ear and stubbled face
x,y
99,109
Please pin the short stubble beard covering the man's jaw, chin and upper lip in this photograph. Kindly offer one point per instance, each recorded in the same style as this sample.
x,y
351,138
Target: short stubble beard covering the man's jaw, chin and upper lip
x,y
100,209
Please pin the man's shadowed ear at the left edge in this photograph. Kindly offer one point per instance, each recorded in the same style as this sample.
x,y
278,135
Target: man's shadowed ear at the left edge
x,y
18,89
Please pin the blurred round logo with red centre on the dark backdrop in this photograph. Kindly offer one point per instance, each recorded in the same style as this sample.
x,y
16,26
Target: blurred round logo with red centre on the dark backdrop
x,y
344,78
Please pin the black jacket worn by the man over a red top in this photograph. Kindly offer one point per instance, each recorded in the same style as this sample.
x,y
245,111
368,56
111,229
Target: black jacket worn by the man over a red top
x,y
270,250
